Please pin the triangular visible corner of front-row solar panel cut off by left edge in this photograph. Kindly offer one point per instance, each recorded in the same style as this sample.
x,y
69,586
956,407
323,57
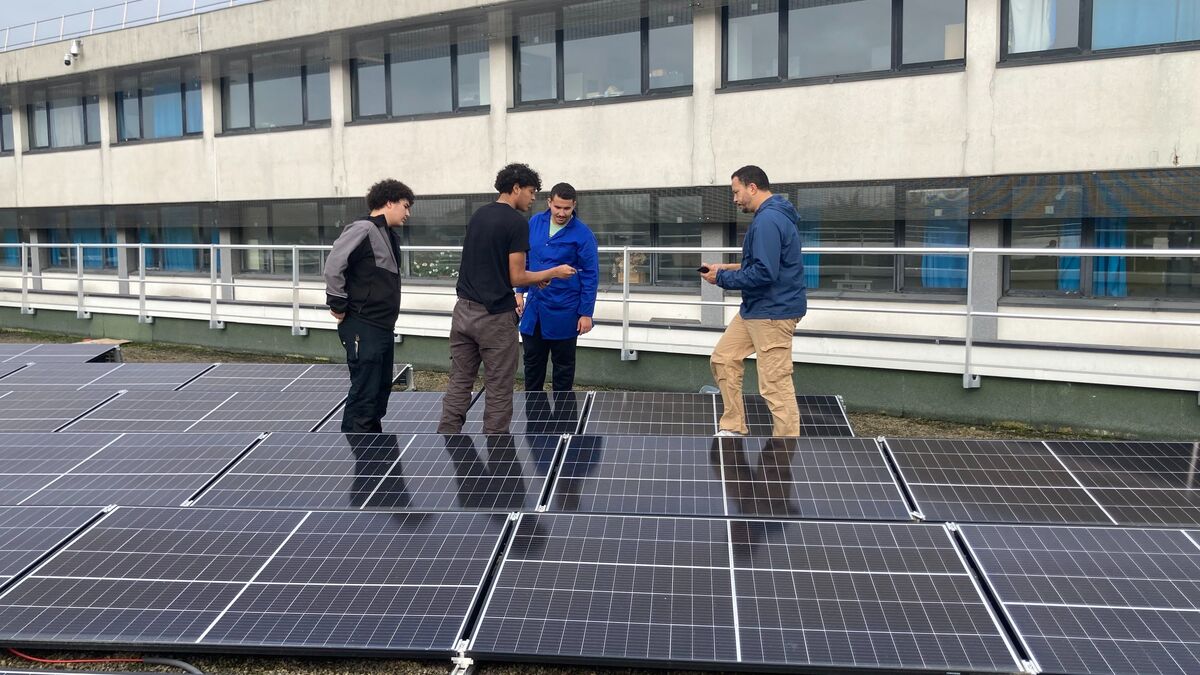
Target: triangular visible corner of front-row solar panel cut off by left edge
x,y
27,534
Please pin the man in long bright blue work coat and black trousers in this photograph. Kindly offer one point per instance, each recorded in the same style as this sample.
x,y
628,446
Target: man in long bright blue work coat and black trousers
x,y
554,316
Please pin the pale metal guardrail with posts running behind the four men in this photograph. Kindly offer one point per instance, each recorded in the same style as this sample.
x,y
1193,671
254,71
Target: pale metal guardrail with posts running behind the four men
x,y
225,280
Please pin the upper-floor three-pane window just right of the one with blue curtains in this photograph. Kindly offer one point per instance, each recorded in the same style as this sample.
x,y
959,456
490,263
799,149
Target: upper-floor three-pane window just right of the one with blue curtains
x,y
280,89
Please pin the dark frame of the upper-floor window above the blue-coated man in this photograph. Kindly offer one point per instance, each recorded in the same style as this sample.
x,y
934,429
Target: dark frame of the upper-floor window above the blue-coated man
x,y
645,92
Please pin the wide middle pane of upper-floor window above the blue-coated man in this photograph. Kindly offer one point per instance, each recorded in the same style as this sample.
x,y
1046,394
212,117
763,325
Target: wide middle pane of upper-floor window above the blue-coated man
x,y
602,50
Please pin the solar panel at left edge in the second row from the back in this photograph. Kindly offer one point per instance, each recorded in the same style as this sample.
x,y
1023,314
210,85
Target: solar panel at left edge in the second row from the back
x,y
109,377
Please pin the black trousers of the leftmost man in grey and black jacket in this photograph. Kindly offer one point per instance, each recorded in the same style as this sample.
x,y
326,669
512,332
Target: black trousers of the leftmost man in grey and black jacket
x,y
370,355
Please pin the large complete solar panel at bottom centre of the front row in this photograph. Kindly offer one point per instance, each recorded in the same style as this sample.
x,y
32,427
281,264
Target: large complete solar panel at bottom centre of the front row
x,y
718,593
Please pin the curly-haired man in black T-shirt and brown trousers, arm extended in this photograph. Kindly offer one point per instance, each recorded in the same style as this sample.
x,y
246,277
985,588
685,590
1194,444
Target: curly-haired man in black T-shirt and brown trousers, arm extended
x,y
484,328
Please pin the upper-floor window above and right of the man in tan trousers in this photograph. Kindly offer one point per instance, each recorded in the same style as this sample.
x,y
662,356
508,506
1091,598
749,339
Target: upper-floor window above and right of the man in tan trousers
x,y
801,40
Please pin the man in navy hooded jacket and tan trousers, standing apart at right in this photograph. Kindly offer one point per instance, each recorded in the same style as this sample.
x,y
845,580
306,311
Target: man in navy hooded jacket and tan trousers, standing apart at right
x,y
771,278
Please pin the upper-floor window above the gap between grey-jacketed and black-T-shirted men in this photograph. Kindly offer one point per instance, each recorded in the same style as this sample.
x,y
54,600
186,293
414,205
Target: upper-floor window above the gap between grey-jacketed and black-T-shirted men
x,y
419,73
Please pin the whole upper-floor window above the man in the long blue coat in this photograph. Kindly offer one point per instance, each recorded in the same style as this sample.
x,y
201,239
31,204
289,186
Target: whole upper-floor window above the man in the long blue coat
x,y
602,50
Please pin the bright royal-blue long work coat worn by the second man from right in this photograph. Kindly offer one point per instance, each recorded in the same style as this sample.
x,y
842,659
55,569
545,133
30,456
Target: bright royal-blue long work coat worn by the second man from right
x,y
560,306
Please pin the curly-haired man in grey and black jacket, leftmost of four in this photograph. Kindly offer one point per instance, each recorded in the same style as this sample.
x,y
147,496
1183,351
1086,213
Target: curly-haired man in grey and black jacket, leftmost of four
x,y
363,294
